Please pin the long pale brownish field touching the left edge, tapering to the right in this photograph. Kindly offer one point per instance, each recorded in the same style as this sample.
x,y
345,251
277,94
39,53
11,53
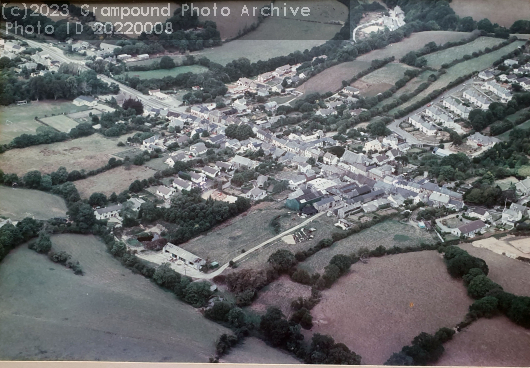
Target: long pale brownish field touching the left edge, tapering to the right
x,y
87,153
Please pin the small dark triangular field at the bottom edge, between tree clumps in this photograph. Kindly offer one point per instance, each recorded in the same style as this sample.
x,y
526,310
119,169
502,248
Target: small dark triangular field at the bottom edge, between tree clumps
x,y
255,351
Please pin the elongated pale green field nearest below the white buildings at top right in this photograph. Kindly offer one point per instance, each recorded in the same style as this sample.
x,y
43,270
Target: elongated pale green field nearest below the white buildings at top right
x,y
415,42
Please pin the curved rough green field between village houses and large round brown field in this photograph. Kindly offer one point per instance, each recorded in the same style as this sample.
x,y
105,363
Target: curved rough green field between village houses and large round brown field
x,y
388,234
